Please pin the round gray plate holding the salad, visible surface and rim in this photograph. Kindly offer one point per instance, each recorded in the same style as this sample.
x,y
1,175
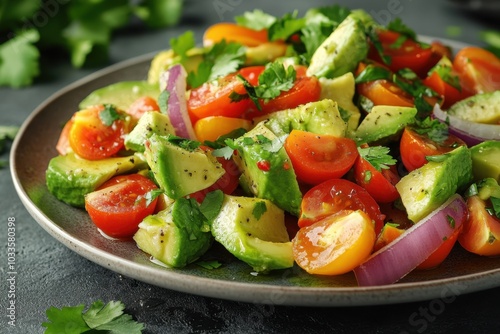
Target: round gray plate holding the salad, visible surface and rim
x,y
34,146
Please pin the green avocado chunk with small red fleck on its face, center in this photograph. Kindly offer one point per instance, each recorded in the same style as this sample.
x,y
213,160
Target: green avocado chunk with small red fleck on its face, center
x,y
266,170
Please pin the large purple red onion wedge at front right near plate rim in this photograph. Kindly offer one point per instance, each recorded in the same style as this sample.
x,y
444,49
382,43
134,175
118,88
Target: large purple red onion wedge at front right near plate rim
x,y
405,253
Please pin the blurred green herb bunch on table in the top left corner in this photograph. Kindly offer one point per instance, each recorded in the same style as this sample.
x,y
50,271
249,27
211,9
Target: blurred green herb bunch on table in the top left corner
x,y
80,29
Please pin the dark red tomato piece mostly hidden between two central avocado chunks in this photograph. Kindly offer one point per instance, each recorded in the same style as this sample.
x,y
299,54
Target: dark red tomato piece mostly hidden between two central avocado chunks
x,y
228,182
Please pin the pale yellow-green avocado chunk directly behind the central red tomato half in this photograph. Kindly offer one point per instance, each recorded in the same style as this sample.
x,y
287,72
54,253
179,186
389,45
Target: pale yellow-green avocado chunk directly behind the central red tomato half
x,y
321,117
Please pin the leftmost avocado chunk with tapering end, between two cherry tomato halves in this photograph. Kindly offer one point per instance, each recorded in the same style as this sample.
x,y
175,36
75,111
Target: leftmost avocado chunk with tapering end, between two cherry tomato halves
x,y
69,178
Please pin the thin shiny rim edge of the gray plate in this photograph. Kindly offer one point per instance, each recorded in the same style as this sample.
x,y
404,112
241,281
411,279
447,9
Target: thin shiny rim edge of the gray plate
x,y
248,292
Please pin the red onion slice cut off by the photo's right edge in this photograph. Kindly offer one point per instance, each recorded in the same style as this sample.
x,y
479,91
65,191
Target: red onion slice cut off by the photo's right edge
x,y
471,132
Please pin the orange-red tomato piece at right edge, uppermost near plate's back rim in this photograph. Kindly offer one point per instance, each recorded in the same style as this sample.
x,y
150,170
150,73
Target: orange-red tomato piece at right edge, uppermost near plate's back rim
x,y
478,68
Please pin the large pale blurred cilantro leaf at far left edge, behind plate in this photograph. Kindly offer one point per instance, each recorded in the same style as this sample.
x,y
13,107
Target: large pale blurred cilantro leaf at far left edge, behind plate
x,y
19,60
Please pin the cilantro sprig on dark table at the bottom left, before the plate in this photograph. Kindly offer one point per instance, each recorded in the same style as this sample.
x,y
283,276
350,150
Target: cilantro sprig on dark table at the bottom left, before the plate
x,y
108,317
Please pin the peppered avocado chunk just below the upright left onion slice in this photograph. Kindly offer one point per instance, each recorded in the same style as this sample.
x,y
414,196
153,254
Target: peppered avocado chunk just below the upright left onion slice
x,y
180,171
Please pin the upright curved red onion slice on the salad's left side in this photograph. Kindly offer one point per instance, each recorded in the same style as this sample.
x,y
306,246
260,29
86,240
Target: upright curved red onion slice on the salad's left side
x,y
174,81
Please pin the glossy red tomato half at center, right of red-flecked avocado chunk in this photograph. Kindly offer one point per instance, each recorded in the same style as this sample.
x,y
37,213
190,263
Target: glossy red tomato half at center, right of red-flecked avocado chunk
x,y
317,158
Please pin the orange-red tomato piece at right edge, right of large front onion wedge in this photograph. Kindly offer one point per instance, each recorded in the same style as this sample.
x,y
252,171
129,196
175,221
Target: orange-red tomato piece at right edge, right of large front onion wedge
x,y
481,231
